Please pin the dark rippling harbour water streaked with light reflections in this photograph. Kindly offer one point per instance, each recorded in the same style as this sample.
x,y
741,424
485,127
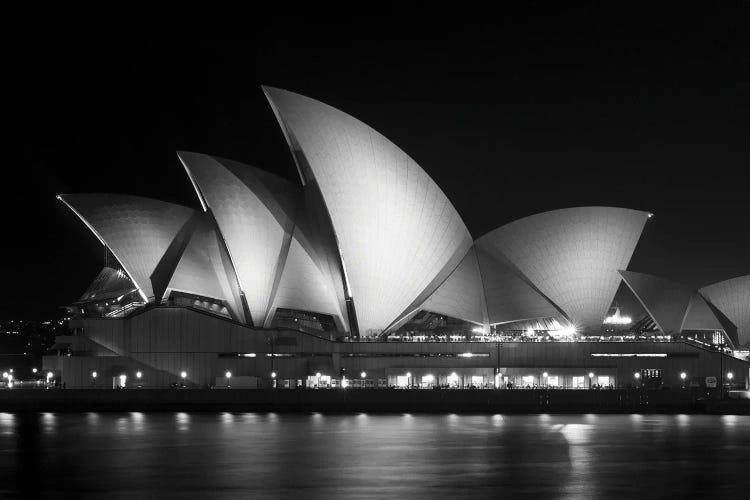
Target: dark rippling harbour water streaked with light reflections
x,y
364,456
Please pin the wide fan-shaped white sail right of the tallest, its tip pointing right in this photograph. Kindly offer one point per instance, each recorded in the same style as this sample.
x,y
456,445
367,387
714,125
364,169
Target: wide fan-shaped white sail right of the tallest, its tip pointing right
x,y
572,256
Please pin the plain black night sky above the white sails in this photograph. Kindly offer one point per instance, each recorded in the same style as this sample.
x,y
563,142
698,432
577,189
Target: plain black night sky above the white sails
x,y
534,110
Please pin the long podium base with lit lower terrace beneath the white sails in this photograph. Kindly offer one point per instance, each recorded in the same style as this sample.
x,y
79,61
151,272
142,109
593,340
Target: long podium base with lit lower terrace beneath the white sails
x,y
172,346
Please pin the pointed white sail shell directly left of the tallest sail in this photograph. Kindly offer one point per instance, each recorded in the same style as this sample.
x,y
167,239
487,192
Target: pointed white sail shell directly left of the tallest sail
x,y
255,212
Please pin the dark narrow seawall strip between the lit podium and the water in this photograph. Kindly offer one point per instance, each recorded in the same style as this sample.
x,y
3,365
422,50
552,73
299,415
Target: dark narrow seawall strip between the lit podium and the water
x,y
531,401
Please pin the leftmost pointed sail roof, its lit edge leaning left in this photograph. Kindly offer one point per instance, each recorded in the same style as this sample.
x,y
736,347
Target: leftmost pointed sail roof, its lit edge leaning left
x,y
138,231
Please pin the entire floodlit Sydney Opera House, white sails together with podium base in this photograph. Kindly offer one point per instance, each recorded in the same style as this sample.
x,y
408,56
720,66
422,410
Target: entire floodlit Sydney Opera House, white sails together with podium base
x,y
363,274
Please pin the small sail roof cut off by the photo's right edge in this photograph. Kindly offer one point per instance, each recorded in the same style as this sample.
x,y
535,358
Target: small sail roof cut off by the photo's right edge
x,y
732,298
